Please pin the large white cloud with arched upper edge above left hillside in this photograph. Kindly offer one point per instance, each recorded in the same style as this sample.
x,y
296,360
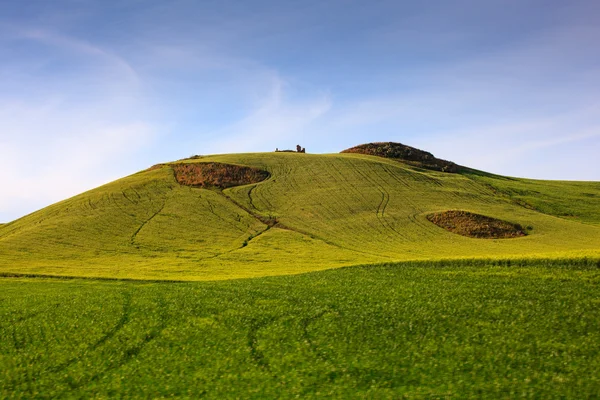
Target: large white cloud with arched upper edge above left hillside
x,y
61,135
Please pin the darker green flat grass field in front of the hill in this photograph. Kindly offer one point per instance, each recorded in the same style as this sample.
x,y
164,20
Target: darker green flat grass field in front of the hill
x,y
378,332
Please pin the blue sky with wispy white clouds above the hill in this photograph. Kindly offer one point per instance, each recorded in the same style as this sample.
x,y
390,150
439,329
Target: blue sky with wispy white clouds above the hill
x,y
91,91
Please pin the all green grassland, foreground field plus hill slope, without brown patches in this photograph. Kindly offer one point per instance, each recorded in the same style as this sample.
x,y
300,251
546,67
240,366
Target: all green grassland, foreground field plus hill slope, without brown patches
x,y
326,280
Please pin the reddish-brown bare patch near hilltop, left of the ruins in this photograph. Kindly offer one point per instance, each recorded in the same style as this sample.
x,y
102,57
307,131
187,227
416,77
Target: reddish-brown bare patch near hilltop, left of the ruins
x,y
217,175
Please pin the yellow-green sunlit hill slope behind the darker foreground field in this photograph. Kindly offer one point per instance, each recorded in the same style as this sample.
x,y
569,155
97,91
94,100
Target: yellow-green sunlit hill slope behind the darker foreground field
x,y
333,210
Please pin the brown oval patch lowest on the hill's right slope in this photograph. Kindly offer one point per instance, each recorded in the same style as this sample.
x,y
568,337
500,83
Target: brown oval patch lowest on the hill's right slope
x,y
475,225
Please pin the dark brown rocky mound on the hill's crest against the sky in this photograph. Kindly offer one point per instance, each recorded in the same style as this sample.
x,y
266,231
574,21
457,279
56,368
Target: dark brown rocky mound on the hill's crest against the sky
x,y
407,154
